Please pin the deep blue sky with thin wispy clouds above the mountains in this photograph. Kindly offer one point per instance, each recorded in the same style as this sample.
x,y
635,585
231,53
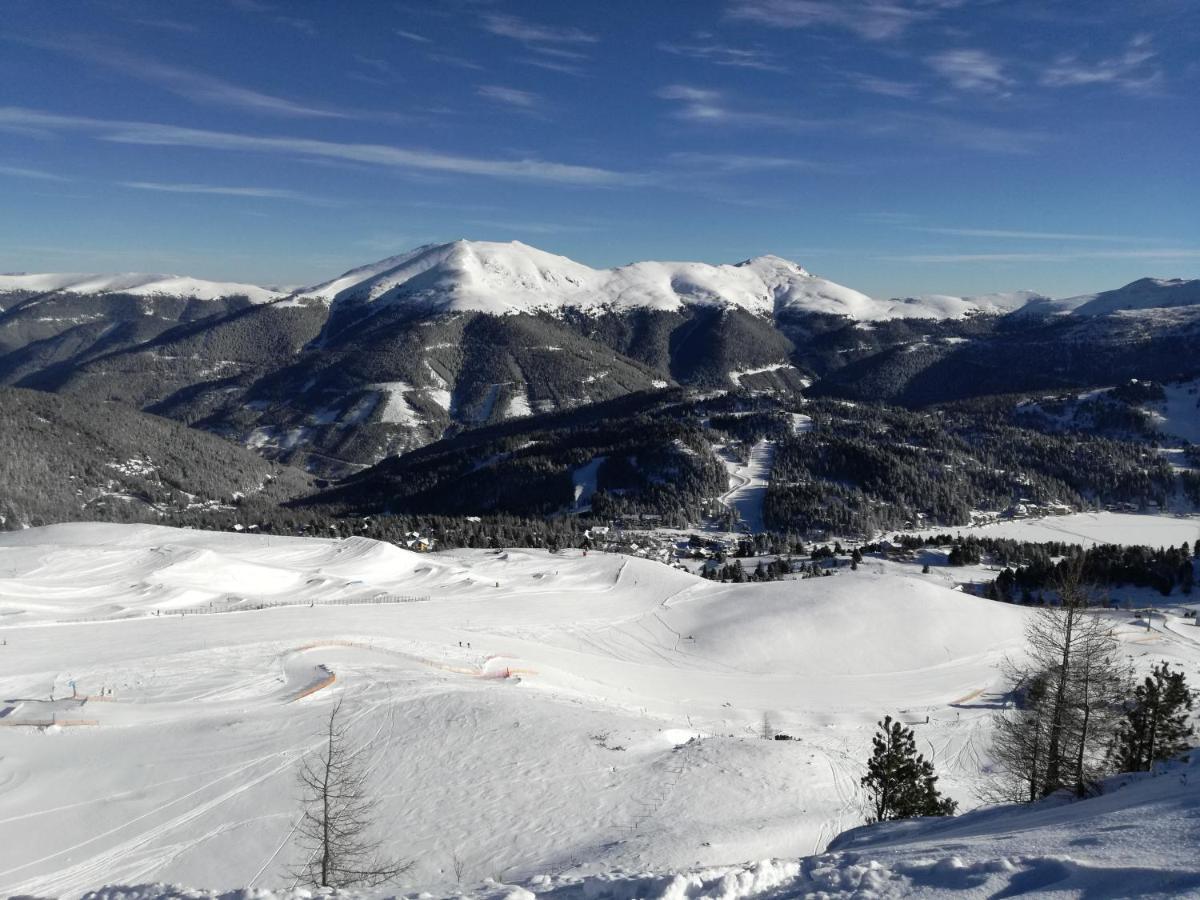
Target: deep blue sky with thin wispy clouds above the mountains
x,y
899,147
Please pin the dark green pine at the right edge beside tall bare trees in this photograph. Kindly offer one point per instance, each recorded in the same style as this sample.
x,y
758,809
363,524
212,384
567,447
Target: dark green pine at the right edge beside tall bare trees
x,y
1156,722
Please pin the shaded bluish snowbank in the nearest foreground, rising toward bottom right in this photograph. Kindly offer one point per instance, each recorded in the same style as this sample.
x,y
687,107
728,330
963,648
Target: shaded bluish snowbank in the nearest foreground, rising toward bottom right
x,y
1135,842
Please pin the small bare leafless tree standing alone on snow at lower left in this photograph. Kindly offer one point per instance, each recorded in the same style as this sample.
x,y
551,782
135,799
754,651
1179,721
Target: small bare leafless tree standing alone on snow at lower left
x,y
335,829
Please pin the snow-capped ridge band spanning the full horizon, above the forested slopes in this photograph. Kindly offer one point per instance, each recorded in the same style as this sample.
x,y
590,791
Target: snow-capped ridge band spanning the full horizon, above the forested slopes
x,y
513,278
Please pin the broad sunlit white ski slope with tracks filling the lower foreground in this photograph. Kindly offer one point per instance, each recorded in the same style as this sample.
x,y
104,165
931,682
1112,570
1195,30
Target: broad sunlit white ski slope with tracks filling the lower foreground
x,y
557,746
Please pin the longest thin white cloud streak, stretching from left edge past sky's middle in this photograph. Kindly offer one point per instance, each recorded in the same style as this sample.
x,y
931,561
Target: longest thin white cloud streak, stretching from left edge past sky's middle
x,y
155,135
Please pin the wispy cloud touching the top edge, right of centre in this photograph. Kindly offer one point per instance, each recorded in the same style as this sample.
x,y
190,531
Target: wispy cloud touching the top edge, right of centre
x,y
871,20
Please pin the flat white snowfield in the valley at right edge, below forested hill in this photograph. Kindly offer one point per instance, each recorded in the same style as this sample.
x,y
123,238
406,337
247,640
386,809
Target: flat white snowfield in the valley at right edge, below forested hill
x,y
1089,530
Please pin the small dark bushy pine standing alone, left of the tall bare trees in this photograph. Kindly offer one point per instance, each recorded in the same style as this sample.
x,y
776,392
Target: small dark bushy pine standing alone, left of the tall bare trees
x,y
899,782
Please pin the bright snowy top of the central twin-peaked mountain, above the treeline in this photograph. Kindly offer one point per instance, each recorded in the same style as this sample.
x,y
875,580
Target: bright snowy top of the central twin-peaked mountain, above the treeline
x,y
505,279
